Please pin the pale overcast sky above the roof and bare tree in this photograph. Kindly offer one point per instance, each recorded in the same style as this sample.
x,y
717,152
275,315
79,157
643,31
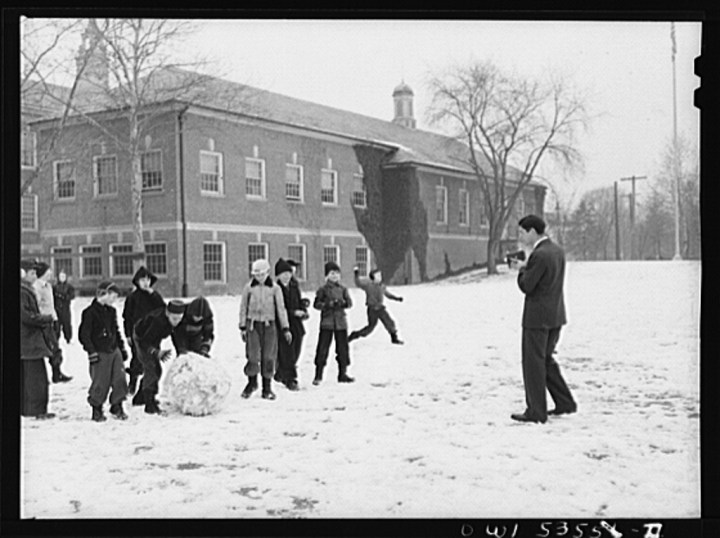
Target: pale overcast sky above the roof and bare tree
x,y
624,68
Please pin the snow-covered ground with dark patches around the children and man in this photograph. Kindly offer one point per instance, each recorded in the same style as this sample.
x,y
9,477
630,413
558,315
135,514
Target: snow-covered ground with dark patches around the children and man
x,y
425,431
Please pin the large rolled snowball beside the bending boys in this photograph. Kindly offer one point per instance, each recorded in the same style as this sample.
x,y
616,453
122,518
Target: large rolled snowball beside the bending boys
x,y
196,385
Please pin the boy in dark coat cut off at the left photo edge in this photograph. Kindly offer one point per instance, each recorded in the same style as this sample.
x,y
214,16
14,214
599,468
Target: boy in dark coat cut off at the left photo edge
x,y
33,347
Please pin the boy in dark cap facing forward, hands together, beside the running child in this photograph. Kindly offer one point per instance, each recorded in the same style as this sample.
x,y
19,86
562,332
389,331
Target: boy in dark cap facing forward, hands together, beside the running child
x,y
332,299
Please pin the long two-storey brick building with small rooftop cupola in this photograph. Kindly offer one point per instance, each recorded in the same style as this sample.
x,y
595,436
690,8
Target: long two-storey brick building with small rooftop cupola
x,y
270,176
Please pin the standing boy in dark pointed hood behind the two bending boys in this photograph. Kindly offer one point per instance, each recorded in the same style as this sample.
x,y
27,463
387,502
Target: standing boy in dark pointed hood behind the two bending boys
x,y
141,301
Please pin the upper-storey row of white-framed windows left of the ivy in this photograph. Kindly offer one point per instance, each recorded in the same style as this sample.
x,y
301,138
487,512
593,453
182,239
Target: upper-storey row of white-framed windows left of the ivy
x,y
105,178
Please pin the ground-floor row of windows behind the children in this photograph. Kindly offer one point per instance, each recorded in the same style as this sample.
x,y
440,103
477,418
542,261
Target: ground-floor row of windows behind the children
x,y
120,260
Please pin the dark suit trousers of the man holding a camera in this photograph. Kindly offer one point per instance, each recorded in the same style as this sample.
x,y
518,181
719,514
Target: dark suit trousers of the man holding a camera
x,y
541,373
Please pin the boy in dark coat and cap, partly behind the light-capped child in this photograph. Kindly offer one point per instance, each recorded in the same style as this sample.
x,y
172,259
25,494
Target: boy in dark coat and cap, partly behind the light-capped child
x,y
289,353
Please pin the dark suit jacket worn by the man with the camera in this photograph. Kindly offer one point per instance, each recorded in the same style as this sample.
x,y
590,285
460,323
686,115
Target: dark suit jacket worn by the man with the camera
x,y
541,280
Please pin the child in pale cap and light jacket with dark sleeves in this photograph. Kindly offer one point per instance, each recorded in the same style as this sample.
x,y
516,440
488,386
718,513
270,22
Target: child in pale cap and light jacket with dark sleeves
x,y
261,304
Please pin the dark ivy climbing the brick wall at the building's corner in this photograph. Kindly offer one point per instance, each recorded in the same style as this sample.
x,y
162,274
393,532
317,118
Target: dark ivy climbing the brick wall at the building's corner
x,y
395,219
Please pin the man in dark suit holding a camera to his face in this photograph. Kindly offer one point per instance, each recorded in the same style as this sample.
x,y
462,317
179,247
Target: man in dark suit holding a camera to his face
x,y
540,278
